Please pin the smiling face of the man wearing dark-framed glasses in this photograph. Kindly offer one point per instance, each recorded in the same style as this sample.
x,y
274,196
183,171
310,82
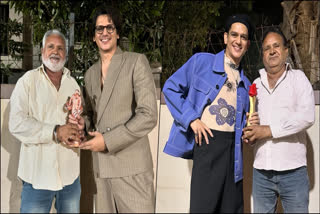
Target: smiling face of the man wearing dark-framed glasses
x,y
106,42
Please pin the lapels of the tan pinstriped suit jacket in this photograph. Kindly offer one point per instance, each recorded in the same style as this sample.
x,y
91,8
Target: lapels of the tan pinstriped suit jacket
x,y
111,78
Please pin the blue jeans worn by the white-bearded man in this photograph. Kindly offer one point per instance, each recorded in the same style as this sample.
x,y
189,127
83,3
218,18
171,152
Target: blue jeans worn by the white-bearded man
x,y
39,201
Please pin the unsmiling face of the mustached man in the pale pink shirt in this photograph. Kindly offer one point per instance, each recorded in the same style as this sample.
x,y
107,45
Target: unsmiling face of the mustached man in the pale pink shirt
x,y
274,52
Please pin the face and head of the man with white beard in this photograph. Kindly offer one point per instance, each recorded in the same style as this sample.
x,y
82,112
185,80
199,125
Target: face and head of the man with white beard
x,y
54,53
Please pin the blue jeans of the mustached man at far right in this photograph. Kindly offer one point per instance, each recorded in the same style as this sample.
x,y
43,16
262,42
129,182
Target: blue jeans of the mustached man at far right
x,y
292,186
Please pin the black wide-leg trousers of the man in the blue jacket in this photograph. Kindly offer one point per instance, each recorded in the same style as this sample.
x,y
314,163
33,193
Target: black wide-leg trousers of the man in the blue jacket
x,y
212,183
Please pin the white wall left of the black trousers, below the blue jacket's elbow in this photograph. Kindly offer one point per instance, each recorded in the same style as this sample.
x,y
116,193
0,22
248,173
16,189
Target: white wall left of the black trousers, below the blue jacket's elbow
x,y
174,174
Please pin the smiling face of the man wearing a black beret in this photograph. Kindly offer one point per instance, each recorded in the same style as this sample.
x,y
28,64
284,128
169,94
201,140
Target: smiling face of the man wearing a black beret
x,y
236,41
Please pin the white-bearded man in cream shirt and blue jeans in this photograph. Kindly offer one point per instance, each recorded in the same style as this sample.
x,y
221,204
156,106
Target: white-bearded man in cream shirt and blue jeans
x,y
49,162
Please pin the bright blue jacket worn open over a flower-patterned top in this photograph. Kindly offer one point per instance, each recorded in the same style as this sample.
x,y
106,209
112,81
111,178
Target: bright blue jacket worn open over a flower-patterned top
x,y
189,90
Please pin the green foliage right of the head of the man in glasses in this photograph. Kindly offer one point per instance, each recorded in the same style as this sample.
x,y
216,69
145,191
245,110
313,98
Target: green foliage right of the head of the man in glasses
x,y
144,26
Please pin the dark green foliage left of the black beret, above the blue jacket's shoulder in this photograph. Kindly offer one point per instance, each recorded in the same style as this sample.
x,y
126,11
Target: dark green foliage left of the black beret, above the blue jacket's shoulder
x,y
186,31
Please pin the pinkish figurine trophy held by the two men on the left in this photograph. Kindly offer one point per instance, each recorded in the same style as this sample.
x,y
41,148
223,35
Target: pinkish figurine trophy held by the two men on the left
x,y
74,107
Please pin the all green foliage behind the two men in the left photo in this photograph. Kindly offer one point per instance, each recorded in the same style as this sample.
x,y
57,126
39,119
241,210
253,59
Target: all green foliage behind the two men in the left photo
x,y
144,31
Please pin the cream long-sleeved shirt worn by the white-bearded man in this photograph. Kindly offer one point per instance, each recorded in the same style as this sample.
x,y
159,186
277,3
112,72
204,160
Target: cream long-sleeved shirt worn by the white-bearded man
x,y
36,107
